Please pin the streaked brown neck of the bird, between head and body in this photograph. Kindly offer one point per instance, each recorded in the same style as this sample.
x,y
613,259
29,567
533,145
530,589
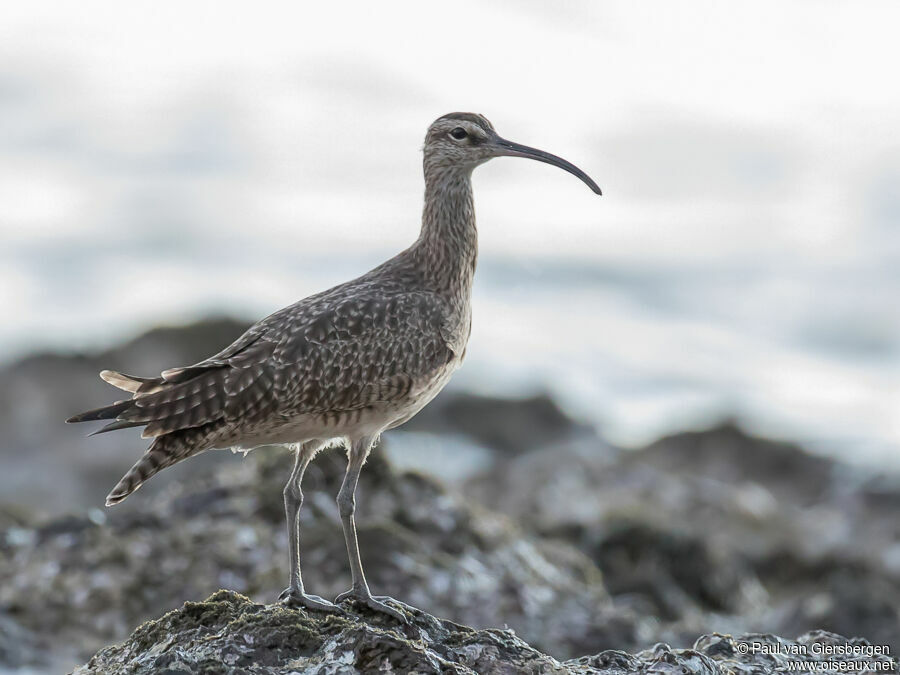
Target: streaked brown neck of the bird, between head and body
x,y
448,244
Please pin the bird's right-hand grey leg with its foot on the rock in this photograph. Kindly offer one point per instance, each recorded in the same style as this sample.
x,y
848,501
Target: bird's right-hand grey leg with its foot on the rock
x,y
346,500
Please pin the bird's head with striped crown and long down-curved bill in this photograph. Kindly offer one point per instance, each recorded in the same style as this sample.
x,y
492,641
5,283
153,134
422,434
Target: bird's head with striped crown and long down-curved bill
x,y
462,141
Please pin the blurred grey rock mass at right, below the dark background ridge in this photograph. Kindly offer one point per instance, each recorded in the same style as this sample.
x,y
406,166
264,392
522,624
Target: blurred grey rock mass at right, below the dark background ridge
x,y
719,530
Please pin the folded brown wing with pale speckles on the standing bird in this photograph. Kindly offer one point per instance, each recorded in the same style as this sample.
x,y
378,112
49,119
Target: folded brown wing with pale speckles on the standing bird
x,y
325,356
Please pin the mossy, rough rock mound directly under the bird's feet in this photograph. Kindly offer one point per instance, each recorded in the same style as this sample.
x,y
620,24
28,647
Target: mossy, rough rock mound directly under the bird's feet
x,y
230,634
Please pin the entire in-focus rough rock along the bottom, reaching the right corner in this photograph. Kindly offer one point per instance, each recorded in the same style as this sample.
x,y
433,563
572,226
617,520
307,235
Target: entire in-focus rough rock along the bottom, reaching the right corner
x,y
229,634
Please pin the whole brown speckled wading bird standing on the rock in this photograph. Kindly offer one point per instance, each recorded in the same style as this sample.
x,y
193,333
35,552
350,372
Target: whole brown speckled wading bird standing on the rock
x,y
338,367
